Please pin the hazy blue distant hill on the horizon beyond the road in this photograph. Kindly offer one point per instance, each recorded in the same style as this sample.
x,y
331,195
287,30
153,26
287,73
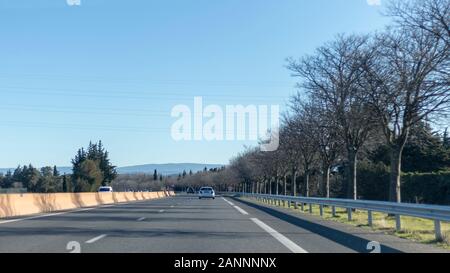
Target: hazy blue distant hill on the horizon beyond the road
x,y
164,169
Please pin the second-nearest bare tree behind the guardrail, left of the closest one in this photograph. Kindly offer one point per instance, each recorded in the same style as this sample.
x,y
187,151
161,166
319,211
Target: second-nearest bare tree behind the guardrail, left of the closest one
x,y
331,76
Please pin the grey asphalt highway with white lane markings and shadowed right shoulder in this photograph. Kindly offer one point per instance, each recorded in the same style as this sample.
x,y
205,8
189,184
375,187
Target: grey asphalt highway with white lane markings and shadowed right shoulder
x,y
185,224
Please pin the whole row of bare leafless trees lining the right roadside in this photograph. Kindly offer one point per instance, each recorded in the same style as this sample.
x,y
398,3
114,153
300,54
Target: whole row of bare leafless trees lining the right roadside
x,y
360,97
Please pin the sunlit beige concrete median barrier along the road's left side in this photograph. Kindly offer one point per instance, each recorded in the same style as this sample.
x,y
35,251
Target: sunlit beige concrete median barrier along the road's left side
x,y
33,203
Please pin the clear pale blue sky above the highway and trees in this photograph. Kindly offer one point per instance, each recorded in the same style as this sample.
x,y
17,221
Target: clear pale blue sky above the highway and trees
x,y
113,70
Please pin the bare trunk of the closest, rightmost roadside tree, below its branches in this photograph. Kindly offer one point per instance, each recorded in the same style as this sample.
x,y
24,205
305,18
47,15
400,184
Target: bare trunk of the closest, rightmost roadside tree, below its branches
x,y
396,171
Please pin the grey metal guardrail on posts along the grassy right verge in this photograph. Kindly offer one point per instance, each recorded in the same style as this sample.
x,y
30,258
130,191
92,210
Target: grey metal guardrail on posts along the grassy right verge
x,y
433,212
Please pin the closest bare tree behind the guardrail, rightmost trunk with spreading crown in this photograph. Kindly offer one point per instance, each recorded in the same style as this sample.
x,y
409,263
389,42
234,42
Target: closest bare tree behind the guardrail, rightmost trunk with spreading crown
x,y
408,81
